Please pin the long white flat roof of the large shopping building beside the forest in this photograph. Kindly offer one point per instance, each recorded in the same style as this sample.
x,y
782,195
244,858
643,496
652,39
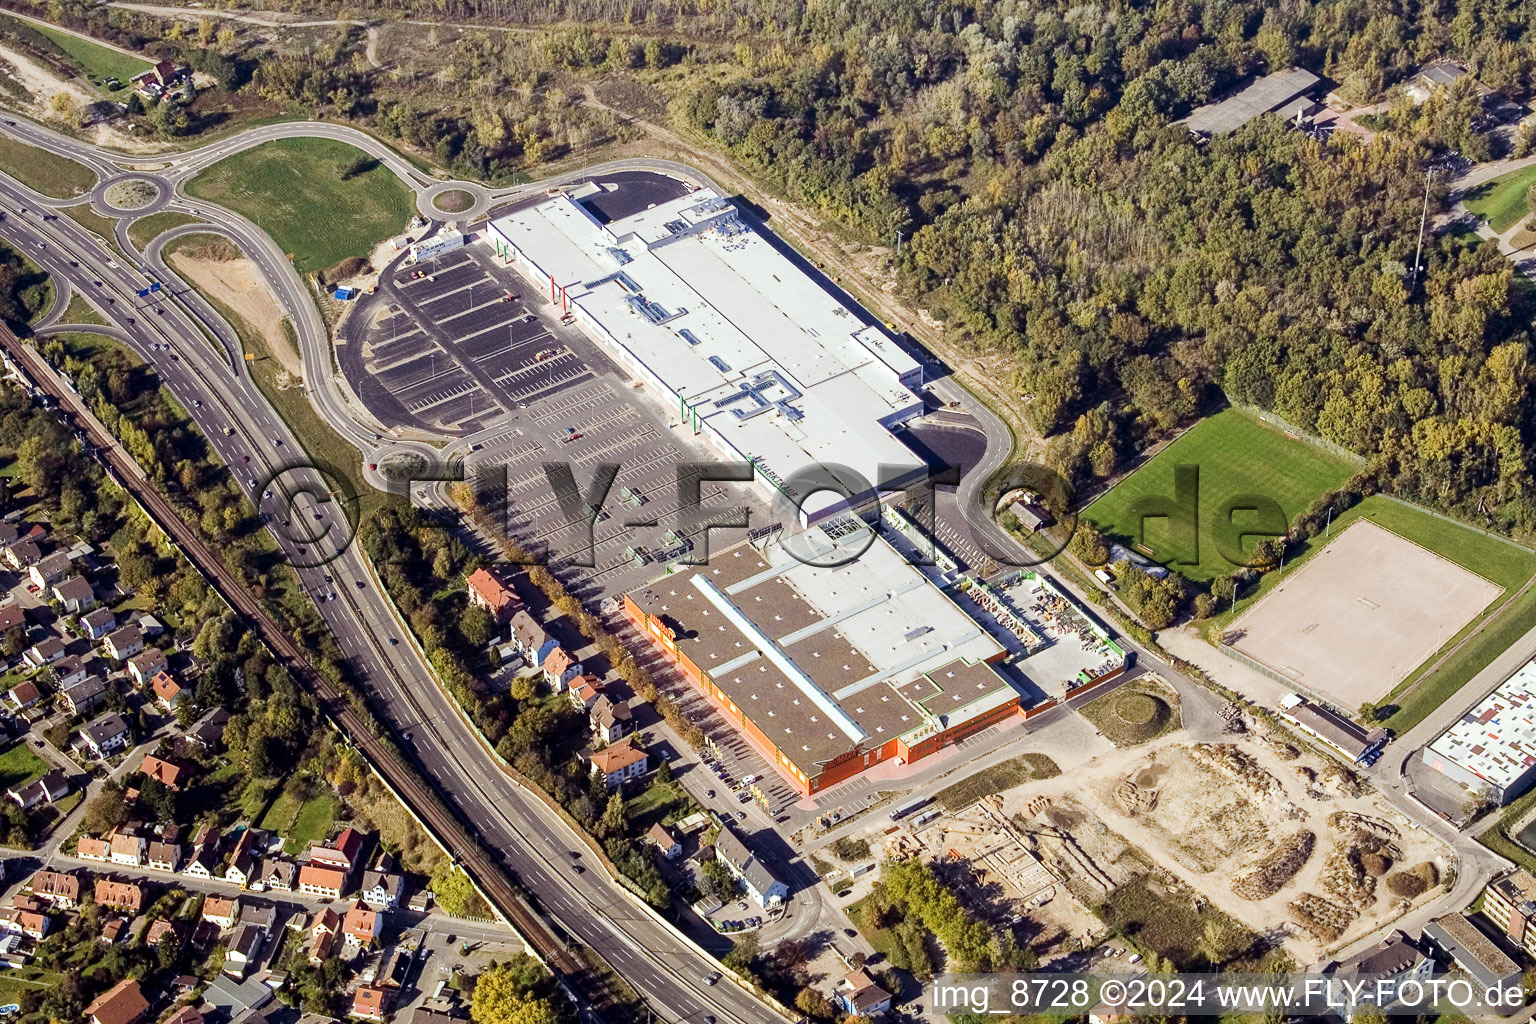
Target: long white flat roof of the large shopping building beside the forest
x,y
690,297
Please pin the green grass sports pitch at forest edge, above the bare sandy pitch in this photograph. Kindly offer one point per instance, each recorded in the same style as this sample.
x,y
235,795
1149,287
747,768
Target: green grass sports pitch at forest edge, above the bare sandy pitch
x,y
1236,455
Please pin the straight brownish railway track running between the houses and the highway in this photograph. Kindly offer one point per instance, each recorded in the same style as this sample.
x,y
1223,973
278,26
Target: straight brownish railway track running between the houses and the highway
x,y
449,828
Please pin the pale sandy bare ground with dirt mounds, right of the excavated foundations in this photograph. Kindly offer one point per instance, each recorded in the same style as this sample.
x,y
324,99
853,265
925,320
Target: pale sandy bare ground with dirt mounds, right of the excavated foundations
x,y
1263,831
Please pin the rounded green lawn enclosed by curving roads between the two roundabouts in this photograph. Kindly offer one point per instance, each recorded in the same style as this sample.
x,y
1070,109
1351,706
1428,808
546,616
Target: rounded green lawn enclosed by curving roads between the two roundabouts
x,y
305,194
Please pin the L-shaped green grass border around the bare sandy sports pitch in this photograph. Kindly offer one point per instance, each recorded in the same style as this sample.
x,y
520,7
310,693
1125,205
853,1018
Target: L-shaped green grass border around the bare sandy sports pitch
x,y
1495,560
